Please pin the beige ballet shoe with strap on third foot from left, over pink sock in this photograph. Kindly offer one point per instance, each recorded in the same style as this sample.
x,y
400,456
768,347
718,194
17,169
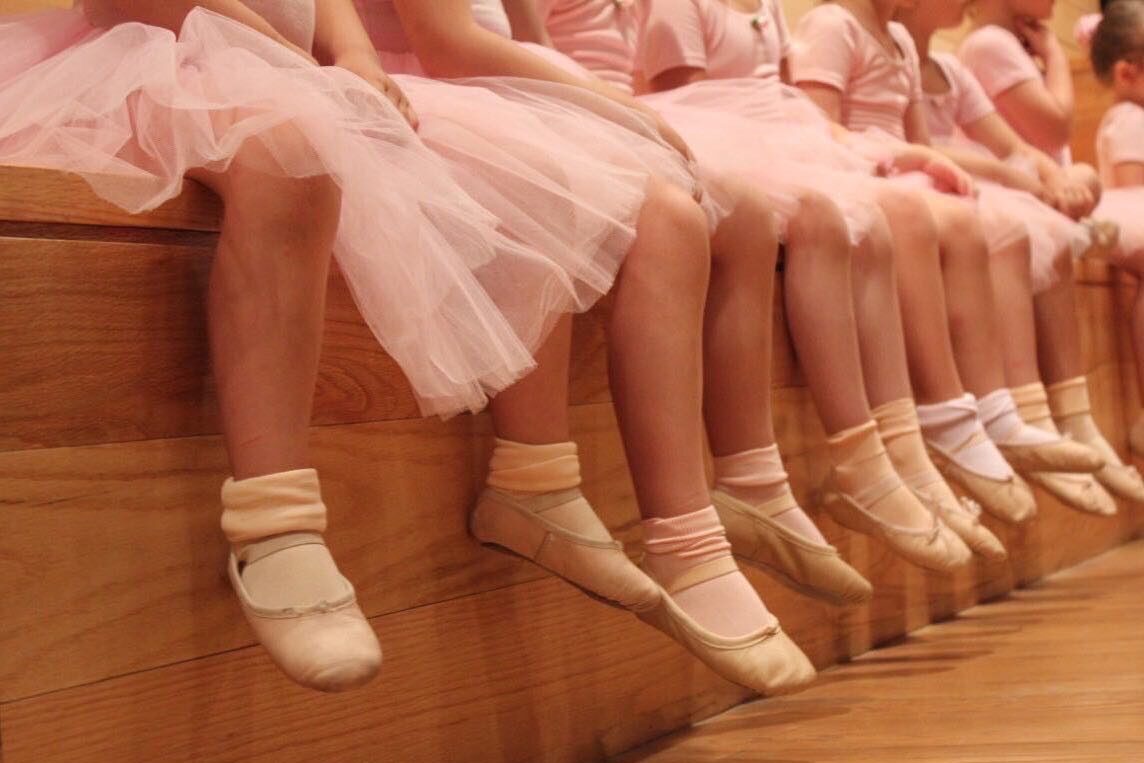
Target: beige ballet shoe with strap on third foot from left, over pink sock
x,y
766,662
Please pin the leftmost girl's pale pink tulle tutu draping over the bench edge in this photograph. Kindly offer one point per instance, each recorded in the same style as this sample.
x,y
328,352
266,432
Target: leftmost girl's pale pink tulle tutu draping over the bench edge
x,y
457,303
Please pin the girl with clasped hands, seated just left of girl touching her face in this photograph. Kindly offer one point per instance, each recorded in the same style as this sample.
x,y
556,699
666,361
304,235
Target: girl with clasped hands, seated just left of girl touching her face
x,y
959,115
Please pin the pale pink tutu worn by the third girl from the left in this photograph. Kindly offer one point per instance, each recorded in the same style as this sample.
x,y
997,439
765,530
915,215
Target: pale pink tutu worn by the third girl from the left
x,y
761,131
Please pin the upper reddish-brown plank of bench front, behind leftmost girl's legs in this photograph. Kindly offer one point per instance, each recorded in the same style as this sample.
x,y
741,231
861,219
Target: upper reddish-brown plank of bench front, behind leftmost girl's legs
x,y
107,343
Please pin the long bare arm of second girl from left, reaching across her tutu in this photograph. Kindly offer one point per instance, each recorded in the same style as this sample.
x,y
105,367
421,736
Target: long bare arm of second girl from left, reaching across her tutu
x,y
449,43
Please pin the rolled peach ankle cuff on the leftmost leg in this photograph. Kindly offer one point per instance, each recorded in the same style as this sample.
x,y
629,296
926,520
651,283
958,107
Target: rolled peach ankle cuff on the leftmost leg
x,y
273,505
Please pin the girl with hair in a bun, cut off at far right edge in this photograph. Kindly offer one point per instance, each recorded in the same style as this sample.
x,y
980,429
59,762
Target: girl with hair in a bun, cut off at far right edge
x,y
1116,44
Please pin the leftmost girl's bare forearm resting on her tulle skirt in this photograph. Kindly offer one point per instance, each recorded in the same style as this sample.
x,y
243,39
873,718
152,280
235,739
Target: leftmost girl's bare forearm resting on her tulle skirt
x,y
340,41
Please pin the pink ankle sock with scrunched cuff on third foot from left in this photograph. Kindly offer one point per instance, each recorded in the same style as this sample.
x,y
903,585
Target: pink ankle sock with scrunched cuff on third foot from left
x,y
726,606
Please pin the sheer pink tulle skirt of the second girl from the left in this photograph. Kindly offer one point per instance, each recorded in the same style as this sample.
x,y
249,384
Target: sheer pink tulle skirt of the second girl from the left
x,y
566,170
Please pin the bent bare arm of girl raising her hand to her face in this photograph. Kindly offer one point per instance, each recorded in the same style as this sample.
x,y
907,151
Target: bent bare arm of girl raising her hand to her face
x,y
1043,109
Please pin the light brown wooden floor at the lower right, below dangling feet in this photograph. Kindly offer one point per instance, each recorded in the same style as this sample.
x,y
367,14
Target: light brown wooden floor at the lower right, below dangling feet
x,y
1054,673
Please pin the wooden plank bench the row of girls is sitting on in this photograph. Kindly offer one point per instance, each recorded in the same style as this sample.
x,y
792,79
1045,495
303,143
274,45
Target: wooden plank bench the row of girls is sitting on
x,y
120,638
